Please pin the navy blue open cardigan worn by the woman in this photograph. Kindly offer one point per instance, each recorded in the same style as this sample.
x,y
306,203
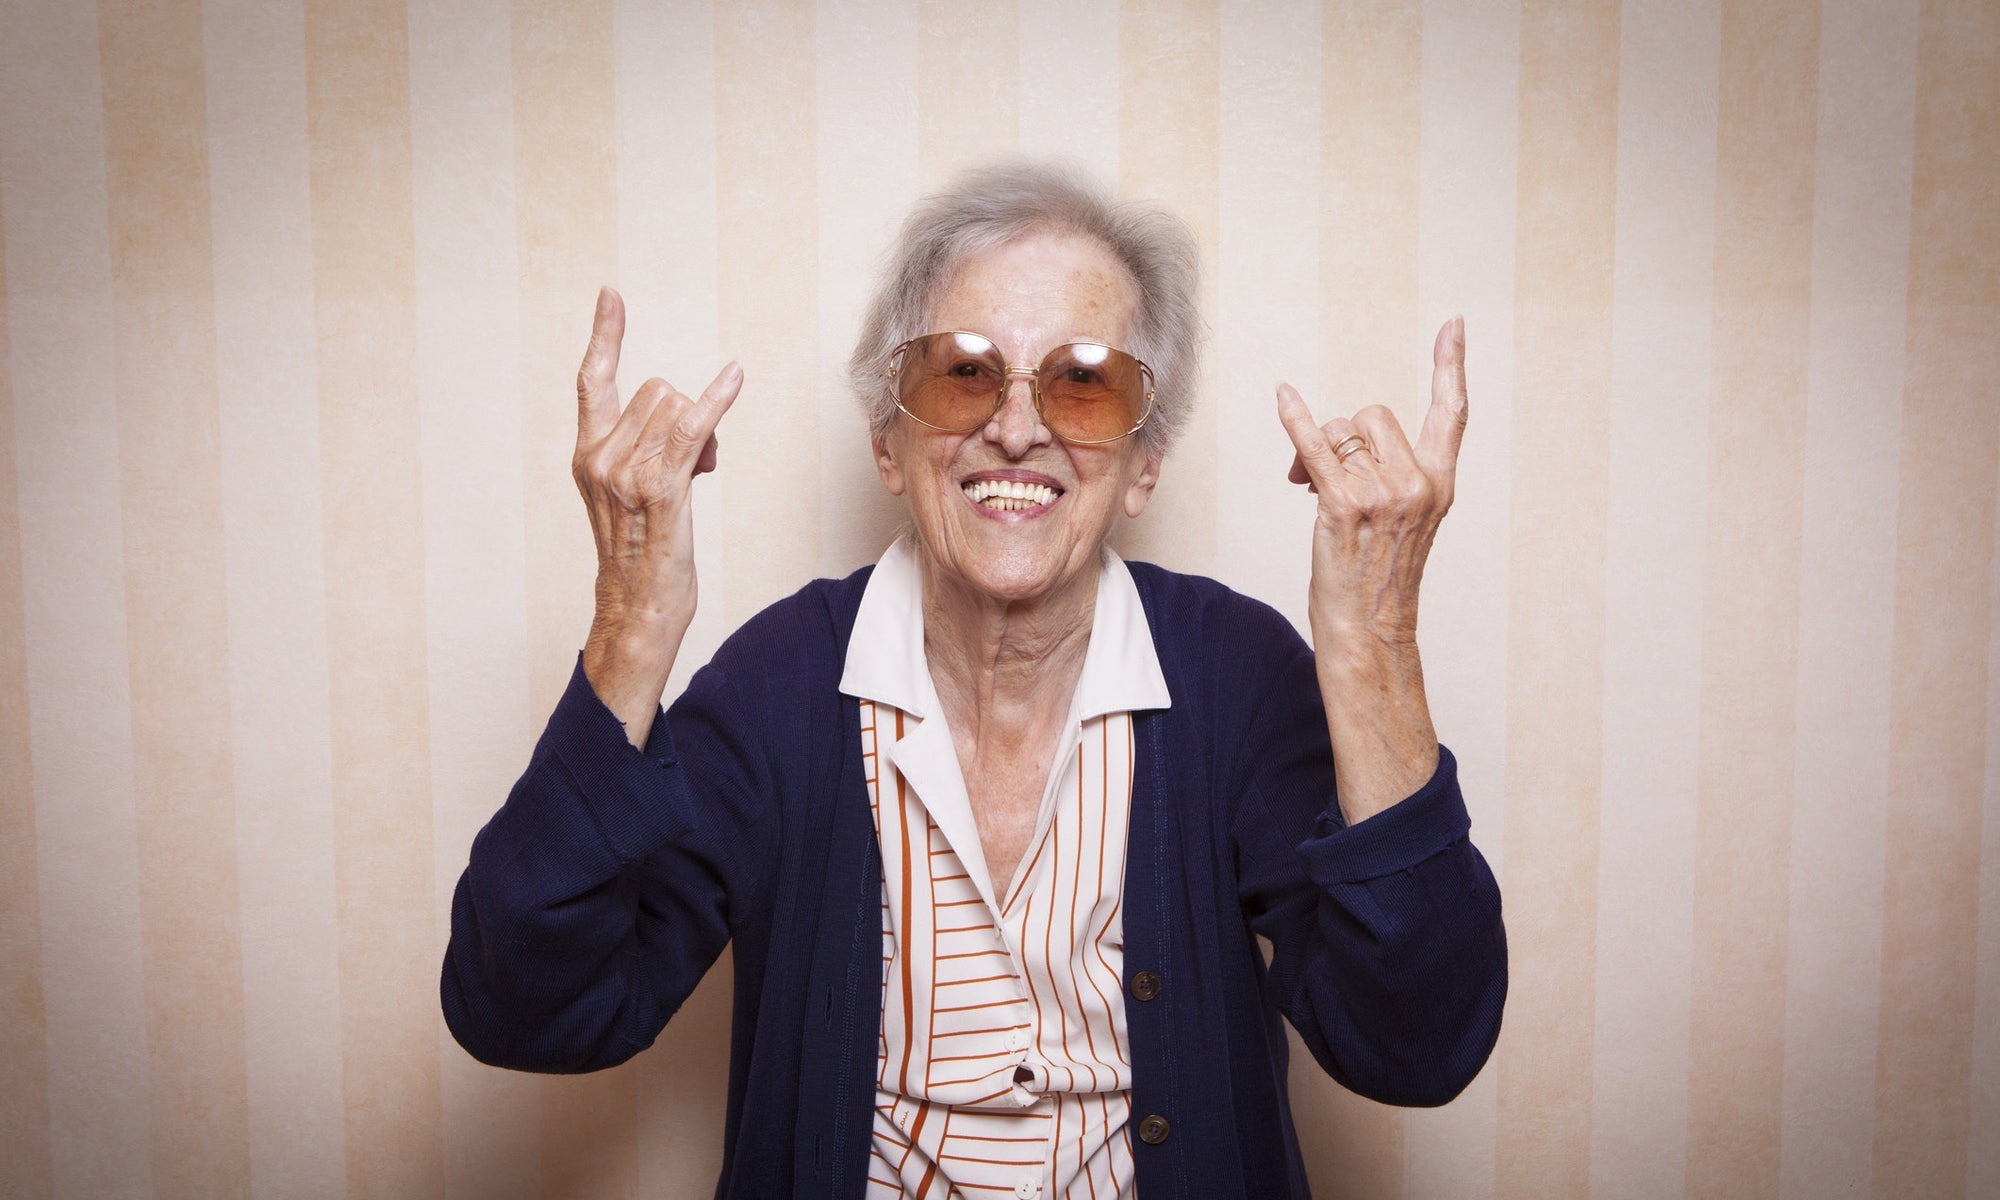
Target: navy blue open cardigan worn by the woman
x,y
611,881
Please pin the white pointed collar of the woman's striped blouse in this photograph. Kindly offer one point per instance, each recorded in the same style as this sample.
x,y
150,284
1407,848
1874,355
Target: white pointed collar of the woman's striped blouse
x,y
887,649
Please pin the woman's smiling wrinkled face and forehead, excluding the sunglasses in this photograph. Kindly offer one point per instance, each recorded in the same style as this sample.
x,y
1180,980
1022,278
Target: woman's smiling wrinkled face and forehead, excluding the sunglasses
x,y
1009,509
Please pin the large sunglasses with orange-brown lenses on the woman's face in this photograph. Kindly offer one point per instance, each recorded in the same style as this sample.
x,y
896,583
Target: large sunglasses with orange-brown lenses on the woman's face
x,y
1085,393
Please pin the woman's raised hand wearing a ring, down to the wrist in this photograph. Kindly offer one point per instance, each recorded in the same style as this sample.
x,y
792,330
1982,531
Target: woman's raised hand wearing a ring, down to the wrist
x,y
1381,499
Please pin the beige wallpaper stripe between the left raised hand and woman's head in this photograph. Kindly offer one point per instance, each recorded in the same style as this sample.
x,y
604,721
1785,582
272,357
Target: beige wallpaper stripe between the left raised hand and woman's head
x,y
767,207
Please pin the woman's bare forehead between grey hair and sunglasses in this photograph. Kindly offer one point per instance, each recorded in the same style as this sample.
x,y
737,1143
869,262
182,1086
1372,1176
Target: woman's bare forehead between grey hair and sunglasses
x,y
1041,291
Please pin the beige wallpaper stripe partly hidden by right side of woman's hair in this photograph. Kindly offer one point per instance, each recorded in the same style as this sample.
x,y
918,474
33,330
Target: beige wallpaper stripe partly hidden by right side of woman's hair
x,y
1169,63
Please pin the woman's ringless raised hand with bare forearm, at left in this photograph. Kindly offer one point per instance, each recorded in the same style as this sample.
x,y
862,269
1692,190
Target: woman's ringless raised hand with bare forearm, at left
x,y
637,467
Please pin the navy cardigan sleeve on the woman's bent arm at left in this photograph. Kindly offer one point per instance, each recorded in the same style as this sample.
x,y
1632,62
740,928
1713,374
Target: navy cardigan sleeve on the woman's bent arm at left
x,y
601,893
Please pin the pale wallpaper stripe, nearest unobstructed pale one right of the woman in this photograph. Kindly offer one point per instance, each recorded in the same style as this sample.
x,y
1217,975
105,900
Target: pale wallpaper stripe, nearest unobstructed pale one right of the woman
x,y
1653,605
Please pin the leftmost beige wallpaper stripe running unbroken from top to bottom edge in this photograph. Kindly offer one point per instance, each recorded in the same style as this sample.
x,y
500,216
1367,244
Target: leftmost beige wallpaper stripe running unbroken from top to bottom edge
x,y
171,497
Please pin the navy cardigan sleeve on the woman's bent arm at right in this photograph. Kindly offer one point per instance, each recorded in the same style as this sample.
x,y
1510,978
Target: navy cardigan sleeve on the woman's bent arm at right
x,y
1389,955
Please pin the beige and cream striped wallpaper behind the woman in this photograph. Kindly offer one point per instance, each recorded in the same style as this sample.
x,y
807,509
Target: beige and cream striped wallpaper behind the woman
x,y
291,565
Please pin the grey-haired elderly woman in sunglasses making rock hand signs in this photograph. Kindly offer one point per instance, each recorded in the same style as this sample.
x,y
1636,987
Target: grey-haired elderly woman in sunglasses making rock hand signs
x,y
995,827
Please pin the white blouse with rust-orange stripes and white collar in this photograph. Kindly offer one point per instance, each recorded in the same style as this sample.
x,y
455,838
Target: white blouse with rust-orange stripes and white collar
x,y
1003,1065
